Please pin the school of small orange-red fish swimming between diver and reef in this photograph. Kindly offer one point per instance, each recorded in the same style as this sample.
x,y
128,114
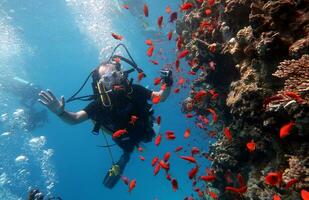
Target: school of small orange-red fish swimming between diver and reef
x,y
273,179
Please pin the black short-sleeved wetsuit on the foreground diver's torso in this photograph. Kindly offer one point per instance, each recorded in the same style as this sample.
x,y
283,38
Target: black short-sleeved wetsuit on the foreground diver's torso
x,y
118,117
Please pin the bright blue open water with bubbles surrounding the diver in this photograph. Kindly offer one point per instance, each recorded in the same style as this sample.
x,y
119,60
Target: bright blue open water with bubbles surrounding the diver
x,y
55,44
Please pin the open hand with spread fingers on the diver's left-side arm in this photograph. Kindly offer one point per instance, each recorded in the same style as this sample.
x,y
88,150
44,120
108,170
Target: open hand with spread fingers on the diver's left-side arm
x,y
48,99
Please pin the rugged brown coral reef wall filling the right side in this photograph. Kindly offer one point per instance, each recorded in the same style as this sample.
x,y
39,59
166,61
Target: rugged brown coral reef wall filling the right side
x,y
254,55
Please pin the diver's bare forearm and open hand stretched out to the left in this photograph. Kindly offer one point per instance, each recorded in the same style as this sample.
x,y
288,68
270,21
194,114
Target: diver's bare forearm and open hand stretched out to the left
x,y
48,99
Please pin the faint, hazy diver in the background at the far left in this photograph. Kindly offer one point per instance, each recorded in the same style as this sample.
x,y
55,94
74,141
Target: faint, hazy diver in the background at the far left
x,y
27,93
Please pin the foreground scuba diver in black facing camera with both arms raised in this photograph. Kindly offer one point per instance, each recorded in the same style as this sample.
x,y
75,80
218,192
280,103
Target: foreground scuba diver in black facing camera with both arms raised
x,y
115,101
